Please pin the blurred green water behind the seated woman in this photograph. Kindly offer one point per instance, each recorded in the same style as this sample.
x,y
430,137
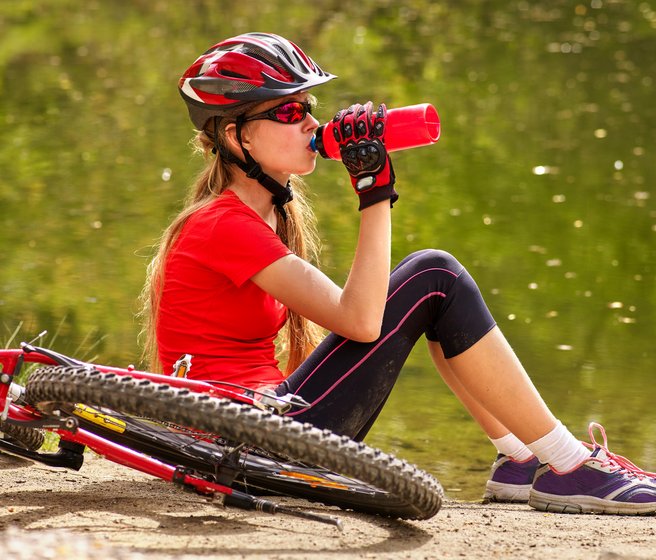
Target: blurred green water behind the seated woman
x,y
542,183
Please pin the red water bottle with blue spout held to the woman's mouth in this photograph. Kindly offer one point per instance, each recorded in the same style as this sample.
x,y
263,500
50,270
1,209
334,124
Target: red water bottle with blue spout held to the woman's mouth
x,y
406,127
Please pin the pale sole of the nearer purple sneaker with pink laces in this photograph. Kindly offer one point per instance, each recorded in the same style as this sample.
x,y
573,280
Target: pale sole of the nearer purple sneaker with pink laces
x,y
586,504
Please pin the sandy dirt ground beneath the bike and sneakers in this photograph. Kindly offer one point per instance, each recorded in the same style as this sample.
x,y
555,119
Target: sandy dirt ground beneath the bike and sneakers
x,y
112,513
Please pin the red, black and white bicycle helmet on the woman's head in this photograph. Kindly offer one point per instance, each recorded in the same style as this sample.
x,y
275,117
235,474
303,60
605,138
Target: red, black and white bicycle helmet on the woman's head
x,y
249,67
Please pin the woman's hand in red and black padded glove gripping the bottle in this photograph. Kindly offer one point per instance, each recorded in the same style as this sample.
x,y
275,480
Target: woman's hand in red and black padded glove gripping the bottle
x,y
361,137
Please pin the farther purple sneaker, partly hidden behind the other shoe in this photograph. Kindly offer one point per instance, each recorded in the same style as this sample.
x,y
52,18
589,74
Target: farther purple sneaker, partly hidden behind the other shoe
x,y
510,480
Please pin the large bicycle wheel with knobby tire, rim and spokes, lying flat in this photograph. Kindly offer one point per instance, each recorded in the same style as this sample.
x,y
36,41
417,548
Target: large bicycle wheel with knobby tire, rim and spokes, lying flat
x,y
381,483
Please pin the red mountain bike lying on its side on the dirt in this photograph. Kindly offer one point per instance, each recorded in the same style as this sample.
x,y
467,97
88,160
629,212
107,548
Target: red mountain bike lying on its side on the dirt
x,y
216,439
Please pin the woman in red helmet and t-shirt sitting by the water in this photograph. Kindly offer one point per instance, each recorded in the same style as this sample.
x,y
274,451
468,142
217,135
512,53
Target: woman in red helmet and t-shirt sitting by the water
x,y
234,268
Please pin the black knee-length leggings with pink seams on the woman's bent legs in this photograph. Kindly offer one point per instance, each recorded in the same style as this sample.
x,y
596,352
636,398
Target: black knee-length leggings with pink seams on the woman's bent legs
x,y
347,382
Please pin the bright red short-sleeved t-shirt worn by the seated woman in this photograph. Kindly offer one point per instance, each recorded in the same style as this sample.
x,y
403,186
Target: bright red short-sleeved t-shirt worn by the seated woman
x,y
210,308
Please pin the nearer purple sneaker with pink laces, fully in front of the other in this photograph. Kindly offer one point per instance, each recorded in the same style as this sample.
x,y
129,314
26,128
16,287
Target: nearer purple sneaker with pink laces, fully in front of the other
x,y
603,483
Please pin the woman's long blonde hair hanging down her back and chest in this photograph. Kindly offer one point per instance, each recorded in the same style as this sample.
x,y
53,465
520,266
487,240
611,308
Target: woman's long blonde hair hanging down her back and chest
x,y
298,232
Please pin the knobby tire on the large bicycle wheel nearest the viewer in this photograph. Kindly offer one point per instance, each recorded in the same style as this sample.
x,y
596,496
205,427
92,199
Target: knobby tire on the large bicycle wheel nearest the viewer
x,y
407,493
